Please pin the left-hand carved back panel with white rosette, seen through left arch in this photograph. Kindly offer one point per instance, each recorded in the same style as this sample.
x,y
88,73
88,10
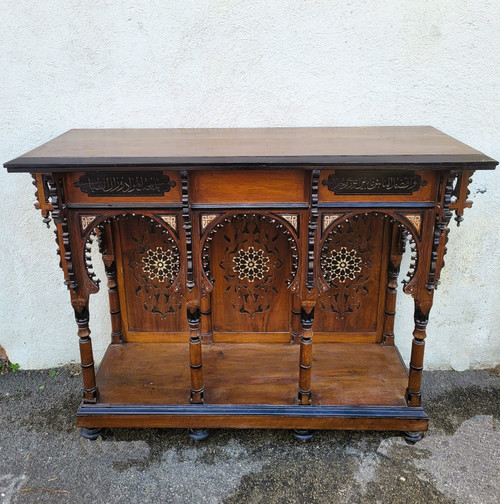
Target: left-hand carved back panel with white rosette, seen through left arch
x,y
149,266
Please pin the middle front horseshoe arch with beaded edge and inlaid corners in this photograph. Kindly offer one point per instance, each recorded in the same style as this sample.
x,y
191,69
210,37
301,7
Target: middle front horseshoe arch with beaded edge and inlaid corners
x,y
282,223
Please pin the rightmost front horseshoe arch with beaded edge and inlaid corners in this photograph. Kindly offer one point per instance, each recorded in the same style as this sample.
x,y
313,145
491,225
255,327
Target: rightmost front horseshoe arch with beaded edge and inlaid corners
x,y
417,235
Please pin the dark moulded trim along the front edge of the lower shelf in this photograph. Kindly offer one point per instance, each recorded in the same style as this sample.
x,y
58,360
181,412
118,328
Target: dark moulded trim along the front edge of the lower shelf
x,y
400,412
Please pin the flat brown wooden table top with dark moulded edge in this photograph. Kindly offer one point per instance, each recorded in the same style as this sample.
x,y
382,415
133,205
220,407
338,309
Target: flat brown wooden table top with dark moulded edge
x,y
79,149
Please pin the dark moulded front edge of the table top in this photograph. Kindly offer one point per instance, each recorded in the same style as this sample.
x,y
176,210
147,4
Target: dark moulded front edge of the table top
x,y
410,162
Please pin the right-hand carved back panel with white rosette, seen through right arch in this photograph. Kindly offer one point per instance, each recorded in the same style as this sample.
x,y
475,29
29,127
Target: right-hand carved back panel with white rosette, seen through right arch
x,y
352,262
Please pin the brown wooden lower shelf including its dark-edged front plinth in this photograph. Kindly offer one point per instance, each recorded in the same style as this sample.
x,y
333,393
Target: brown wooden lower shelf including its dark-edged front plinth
x,y
355,386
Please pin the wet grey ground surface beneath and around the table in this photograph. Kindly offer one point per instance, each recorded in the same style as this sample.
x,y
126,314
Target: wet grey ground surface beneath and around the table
x,y
43,458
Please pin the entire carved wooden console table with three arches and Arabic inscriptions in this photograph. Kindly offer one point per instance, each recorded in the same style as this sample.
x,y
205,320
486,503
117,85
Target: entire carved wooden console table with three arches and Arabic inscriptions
x,y
228,252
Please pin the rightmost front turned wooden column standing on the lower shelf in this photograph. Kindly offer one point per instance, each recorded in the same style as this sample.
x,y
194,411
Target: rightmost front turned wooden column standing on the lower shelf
x,y
413,392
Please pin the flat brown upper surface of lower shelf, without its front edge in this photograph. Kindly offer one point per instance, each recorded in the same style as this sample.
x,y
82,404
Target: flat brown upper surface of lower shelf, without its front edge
x,y
342,374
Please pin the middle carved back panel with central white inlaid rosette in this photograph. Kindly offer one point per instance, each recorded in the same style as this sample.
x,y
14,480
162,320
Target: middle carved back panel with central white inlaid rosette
x,y
251,263
